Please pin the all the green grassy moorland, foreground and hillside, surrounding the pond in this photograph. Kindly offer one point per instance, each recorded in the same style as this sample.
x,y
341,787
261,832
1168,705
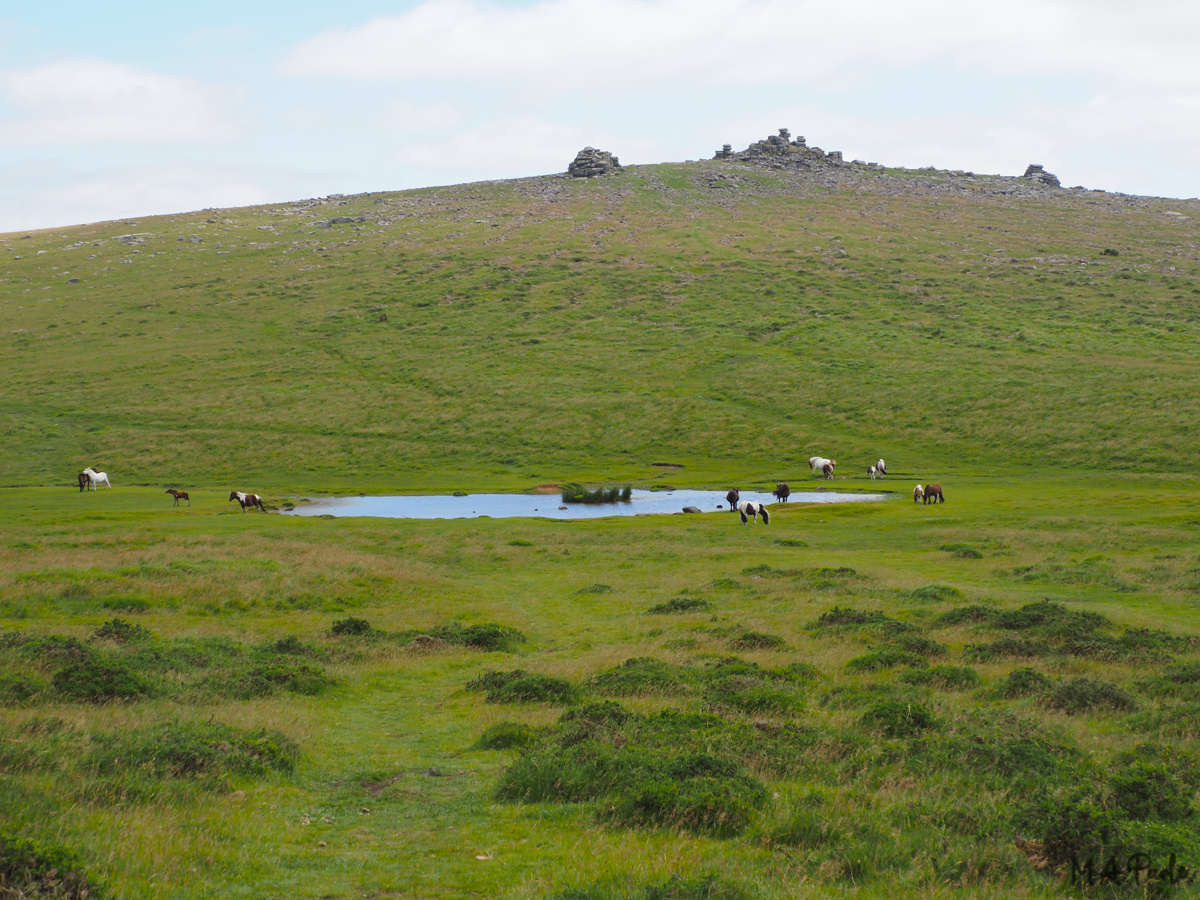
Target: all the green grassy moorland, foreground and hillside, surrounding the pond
x,y
869,700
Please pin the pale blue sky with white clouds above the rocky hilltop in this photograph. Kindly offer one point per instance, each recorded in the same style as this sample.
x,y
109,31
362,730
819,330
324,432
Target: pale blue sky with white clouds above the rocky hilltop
x,y
124,110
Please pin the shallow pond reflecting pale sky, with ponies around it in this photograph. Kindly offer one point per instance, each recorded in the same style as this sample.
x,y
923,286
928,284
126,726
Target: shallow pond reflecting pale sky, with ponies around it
x,y
509,506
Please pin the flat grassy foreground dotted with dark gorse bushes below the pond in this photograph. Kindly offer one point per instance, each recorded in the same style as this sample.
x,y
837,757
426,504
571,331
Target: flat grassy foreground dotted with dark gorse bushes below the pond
x,y
875,699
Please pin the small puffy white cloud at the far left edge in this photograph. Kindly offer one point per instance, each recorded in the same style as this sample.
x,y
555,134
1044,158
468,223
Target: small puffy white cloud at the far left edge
x,y
98,101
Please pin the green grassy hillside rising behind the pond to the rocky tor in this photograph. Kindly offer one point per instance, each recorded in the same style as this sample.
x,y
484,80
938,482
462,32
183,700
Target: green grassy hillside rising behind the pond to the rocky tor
x,y
728,317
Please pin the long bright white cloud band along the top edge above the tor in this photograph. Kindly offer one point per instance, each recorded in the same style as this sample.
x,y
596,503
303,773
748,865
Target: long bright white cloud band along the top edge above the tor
x,y
589,46
